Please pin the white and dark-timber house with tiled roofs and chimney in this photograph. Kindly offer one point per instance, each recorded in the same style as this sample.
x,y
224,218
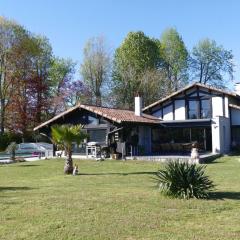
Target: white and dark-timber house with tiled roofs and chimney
x,y
197,113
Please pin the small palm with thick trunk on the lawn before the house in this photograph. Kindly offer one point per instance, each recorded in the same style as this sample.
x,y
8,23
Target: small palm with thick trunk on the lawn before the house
x,y
63,136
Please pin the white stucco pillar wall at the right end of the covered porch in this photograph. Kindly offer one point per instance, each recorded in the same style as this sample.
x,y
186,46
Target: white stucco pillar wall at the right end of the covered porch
x,y
221,135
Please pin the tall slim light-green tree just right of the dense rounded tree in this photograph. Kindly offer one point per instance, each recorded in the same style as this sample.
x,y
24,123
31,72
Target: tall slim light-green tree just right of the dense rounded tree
x,y
175,59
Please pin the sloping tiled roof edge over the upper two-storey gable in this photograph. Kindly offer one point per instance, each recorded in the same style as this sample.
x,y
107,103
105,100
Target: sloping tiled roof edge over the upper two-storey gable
x,y
188,87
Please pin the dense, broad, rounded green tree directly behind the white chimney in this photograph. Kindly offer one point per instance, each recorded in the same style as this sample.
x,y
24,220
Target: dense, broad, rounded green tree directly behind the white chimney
x,y
137,54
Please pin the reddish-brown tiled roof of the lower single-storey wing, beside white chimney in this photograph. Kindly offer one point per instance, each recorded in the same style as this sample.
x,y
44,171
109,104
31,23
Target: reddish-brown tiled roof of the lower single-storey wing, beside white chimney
x,y
116,115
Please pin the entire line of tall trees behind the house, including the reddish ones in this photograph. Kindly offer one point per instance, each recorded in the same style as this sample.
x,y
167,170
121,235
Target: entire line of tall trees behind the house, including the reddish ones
x,y
35,84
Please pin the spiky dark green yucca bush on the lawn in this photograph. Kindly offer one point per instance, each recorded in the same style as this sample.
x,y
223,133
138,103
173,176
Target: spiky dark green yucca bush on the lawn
x,y
184,180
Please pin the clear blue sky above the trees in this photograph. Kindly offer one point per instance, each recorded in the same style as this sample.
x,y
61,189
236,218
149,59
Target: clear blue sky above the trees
x,y
68,24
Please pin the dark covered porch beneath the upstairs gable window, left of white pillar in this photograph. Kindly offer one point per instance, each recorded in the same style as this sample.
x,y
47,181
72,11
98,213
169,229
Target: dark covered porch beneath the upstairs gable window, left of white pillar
x,y
177,137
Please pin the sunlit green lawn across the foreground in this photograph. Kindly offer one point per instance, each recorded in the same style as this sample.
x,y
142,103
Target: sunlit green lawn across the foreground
x,y
113,200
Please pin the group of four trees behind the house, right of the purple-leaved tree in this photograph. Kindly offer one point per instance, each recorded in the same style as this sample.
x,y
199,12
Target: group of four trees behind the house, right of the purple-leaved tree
x,y
151,67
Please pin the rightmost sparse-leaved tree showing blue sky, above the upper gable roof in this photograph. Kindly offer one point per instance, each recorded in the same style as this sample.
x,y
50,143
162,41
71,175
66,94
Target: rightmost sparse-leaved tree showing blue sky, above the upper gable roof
x,y
211,63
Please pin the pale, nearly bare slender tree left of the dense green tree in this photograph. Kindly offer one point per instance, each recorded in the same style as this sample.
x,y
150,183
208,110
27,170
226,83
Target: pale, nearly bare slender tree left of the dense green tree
x,y
96,67
